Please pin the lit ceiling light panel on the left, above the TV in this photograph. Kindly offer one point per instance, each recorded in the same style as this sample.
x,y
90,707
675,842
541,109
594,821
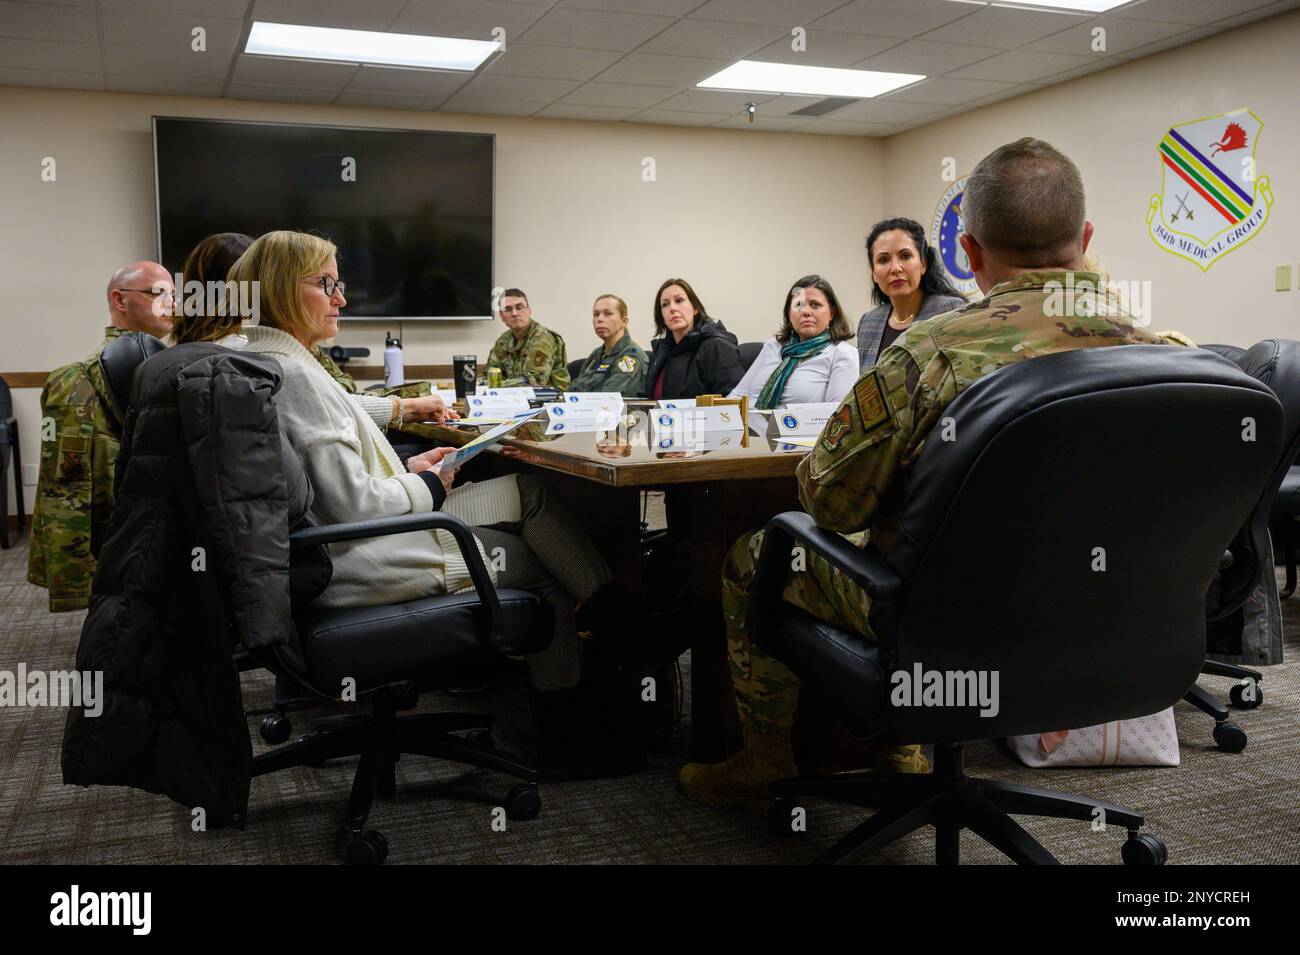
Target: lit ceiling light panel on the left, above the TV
x,y
367,46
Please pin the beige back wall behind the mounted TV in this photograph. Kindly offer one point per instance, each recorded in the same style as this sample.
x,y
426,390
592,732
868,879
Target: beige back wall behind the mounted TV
x,y
738,214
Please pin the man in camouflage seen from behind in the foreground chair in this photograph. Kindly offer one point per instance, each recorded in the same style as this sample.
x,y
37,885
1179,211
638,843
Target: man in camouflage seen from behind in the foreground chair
x,y
1026,237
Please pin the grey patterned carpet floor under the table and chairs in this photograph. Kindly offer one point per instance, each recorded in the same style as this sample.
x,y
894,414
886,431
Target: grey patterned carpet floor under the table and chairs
x,y
1214,809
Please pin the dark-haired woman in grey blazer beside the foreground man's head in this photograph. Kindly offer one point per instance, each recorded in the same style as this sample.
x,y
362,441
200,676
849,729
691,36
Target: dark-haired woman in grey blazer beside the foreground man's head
x,y
908,286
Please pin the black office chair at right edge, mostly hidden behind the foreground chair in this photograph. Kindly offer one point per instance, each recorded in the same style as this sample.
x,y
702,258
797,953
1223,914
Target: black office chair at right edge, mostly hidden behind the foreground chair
x,y
1276,363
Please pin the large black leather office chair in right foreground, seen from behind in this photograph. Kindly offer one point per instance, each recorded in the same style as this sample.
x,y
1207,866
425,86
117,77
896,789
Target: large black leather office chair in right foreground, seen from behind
x,y
995,570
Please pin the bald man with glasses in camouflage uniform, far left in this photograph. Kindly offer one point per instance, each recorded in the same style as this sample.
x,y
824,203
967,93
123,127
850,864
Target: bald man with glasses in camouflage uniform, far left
x,y
80,436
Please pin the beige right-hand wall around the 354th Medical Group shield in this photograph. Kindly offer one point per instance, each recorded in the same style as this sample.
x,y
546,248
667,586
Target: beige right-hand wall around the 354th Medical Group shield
x,y
1111,123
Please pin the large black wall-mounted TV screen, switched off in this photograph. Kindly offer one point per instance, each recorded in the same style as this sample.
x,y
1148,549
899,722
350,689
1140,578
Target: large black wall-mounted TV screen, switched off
x,y
411,211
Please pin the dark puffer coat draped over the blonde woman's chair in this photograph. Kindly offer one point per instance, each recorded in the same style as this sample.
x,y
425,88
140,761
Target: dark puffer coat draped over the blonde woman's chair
x,y
202,466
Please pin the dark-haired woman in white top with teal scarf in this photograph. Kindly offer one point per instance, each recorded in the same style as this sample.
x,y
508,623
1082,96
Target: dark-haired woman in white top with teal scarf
x,y
811,361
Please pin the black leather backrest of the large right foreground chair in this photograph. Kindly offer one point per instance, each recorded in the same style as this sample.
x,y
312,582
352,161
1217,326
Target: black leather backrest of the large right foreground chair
x,y
1067,535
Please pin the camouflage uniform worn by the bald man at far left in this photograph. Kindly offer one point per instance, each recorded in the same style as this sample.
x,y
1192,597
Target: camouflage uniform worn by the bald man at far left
x,y
75,492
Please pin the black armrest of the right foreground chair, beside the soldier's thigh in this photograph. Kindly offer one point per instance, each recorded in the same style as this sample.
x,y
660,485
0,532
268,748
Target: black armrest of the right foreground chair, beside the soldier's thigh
x,y
861,566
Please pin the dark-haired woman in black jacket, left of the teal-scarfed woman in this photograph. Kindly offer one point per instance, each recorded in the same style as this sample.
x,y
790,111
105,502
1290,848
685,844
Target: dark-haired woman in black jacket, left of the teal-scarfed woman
x,y
692,354
